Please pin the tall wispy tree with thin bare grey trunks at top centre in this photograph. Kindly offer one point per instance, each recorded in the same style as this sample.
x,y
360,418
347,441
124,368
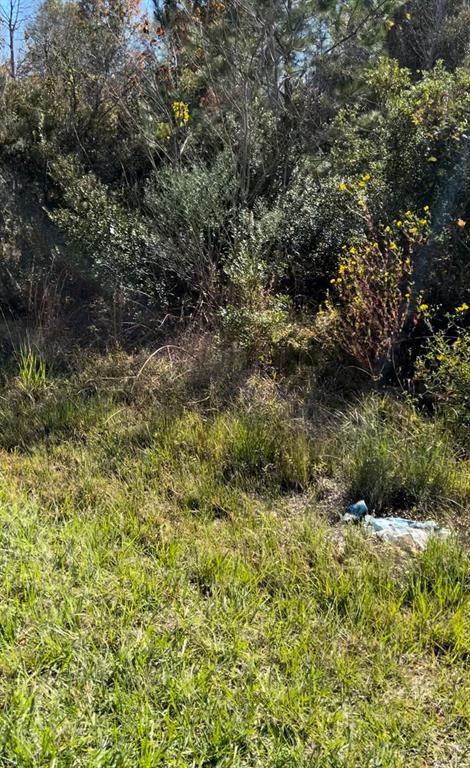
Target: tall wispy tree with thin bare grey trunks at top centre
x,y
263,78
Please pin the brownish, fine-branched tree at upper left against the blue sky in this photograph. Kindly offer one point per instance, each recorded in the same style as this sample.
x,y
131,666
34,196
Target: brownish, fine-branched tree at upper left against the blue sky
x,y
80,59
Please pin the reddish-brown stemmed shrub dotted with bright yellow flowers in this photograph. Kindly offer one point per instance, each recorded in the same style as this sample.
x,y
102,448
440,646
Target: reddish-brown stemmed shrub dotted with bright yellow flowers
x,y
371,295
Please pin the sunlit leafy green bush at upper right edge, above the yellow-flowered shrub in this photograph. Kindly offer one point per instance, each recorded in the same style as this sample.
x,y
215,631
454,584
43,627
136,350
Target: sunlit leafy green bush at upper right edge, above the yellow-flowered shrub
x,y
413,140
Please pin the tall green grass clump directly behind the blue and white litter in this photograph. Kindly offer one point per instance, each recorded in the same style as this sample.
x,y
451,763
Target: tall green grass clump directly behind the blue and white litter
x,y
396,459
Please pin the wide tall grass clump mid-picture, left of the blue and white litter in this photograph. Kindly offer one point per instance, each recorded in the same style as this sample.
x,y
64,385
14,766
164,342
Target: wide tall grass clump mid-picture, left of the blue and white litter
x,y
200,457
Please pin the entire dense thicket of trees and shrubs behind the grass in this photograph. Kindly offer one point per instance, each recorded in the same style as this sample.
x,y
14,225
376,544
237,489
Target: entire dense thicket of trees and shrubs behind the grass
x,y
218,160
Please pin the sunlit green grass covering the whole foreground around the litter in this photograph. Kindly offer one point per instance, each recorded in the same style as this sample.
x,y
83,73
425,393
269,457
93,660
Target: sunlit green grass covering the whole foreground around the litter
x,y
172,595
